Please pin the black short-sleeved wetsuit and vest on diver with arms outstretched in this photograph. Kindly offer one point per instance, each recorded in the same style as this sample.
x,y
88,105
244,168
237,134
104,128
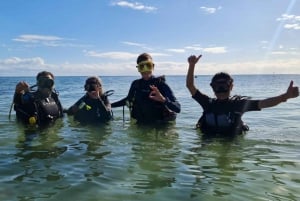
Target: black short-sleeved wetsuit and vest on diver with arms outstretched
x,y
223,117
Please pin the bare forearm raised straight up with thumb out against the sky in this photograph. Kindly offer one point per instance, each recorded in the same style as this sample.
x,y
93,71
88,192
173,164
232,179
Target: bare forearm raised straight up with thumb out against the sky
x,y
190,75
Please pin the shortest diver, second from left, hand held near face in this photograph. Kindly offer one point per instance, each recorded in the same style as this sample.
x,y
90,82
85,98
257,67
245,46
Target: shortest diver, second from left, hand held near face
x,y
94,107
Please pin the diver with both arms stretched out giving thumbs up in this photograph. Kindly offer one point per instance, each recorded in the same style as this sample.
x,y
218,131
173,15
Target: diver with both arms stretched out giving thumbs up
x,y
222,115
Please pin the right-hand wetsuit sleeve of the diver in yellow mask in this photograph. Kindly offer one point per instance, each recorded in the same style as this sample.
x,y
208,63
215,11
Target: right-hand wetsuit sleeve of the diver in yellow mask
x,y
171,101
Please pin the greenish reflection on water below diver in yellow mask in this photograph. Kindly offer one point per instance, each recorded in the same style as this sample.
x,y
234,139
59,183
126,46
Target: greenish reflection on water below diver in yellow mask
x,y
154,151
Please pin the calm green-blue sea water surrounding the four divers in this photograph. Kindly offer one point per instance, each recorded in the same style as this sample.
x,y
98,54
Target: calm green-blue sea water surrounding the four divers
x,y
123,162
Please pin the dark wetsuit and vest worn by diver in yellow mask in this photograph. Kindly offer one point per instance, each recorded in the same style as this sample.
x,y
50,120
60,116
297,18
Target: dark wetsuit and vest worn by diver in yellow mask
x,y
146,110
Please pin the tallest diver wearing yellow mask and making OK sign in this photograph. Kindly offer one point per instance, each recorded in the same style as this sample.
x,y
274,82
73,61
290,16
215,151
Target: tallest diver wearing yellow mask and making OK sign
x,y
150,99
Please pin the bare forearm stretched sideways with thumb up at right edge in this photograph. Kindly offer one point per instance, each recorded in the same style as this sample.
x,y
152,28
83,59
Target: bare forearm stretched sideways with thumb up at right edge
x,y
292,92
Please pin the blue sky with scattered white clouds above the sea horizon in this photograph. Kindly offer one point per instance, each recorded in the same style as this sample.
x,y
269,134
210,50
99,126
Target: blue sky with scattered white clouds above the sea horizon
x,y
104,37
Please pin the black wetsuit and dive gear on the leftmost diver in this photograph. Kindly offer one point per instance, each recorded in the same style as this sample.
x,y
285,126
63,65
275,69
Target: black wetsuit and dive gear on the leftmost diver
x,y
33,105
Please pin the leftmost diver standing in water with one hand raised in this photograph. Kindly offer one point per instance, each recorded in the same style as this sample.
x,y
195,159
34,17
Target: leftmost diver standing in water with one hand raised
x,y
39,107
